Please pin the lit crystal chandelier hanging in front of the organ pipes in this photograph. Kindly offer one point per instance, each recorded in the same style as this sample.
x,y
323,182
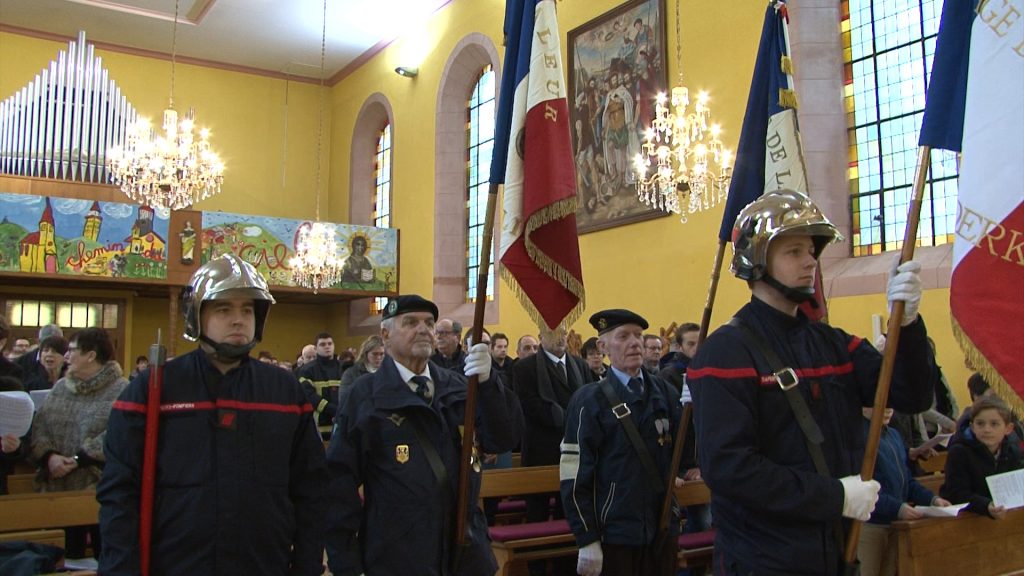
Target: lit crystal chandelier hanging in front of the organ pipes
x,y
172,171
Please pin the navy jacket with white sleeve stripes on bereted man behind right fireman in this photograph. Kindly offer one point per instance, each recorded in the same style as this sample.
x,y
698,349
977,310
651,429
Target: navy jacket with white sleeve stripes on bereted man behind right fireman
x,y
606,489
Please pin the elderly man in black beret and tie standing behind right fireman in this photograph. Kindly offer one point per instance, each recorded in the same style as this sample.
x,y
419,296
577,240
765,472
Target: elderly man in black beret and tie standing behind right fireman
x,y
616,459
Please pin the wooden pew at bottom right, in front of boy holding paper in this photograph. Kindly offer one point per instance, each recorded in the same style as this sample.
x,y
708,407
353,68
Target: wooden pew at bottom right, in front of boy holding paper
x,y
967,545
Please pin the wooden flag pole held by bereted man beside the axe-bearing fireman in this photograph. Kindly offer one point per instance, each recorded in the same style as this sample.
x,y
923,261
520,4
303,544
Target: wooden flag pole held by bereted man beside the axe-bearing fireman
x,y
470,419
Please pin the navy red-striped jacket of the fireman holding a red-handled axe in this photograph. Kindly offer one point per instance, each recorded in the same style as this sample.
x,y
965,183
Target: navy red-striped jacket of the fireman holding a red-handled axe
x,y
240,478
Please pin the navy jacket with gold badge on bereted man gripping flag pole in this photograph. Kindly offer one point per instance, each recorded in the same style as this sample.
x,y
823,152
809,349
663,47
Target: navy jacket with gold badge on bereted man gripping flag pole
x,y
403,527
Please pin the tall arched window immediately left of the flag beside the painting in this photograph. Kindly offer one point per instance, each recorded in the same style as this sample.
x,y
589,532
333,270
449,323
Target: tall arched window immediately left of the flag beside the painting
x,y
481,144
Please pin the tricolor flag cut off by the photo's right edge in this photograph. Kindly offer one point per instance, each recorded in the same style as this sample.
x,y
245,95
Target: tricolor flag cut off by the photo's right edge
x,y
975,106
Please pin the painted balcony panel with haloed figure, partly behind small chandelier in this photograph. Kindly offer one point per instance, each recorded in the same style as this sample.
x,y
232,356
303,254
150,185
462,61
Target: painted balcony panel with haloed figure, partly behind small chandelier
x,y
370,255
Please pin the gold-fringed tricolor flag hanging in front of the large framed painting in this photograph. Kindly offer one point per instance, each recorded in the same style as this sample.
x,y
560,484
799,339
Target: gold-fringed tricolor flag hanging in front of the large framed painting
x,y
540,254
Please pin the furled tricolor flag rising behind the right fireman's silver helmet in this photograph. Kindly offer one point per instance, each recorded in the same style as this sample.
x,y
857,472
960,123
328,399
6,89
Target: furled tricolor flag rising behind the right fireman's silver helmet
x,y
770,155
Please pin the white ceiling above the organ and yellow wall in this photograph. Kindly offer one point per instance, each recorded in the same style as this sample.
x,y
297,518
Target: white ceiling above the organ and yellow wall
x,y
277,36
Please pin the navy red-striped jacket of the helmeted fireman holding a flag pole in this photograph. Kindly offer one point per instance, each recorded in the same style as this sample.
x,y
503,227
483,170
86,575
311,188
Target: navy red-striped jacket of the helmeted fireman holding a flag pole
x,y
775,514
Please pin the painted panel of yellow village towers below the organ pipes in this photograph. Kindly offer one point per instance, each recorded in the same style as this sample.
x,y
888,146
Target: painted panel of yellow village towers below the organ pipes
x,y
53,235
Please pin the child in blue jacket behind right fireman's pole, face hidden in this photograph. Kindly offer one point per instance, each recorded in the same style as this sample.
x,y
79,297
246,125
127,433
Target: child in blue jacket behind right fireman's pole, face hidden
x,y
877,548
